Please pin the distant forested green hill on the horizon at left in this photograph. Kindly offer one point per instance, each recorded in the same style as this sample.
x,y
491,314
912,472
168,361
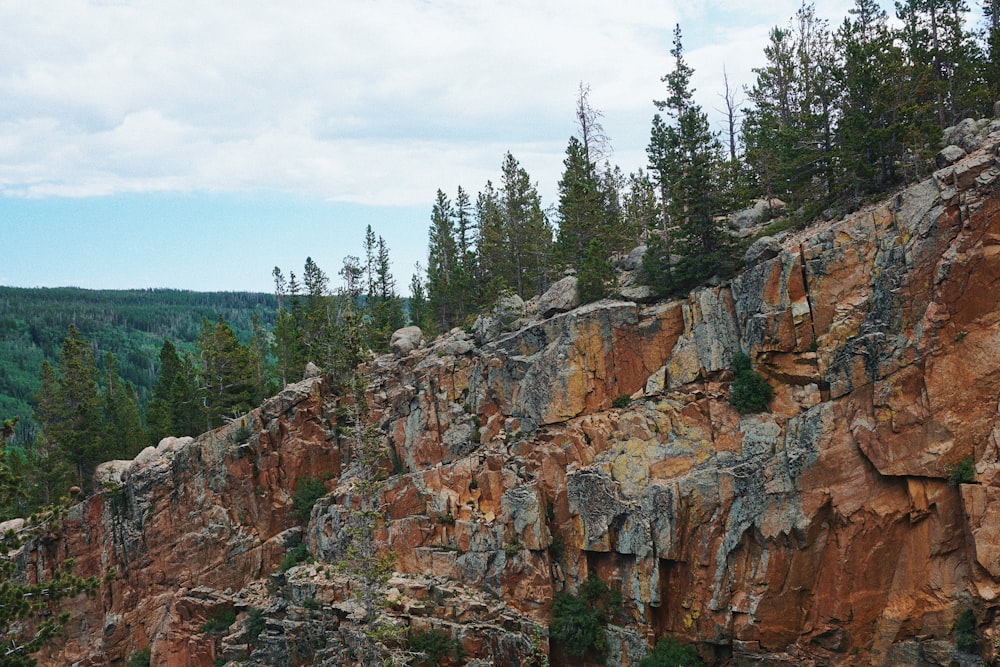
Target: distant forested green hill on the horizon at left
x,y
131,324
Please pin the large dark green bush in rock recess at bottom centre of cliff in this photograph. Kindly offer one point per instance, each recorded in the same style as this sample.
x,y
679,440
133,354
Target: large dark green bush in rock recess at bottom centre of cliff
x,y
578,621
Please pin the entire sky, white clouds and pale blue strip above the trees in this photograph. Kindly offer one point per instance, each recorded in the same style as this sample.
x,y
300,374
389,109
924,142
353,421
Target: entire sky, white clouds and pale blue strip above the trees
x,y
197,145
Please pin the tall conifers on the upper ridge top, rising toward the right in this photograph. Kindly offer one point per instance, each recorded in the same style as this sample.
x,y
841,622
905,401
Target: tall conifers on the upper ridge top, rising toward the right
x,y
836,115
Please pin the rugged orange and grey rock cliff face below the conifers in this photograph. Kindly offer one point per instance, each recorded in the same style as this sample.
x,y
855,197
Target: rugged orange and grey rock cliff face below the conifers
x,y
821,532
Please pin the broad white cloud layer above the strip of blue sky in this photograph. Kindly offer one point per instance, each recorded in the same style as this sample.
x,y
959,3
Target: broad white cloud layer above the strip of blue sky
x,y
371,101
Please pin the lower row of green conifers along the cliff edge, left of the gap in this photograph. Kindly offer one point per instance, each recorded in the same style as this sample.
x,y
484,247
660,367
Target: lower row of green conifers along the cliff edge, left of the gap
x,y
87,412
